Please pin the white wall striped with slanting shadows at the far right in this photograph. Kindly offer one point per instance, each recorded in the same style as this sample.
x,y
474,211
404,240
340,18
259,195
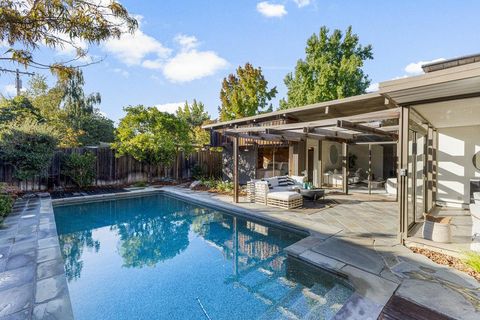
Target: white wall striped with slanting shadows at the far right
x,y
456,147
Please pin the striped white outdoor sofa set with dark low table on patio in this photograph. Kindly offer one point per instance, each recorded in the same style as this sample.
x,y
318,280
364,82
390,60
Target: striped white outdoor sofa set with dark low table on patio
x,y
285,192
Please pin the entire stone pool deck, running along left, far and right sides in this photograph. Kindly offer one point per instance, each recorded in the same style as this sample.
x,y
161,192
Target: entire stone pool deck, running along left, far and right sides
x,y
356,239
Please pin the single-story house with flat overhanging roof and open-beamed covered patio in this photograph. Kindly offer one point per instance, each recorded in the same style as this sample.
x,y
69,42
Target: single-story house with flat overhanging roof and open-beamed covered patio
x,y
421,134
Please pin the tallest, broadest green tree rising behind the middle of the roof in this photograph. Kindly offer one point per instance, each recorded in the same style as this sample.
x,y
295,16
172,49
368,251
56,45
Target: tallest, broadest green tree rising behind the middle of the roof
x,y
331,70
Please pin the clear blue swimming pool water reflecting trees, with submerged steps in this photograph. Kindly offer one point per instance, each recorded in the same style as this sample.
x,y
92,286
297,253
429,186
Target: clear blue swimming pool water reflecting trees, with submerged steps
x,y
158,257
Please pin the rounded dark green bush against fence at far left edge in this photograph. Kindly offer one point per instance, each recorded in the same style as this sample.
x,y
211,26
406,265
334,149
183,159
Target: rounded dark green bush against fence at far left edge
x,y
27,146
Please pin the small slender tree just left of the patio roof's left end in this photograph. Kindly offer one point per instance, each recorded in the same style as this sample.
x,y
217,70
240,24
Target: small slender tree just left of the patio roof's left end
x,y
195,115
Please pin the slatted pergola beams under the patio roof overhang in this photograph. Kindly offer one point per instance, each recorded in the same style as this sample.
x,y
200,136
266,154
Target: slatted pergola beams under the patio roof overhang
x,y
352,129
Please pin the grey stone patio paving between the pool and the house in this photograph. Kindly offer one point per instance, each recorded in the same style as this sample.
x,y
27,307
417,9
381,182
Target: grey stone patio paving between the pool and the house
x,y
357,239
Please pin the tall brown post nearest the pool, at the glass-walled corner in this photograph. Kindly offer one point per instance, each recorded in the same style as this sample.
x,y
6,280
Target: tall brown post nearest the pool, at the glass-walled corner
x,y
402,182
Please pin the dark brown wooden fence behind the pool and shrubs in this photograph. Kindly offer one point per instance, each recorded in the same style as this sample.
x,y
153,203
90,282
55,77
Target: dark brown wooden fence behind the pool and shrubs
x,y
111,170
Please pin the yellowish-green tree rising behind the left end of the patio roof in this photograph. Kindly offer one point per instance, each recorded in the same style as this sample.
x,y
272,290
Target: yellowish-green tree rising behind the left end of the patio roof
x,y
245,94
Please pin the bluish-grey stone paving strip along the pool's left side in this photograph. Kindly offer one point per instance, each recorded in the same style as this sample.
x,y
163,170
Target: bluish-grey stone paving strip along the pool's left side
x,y
32,277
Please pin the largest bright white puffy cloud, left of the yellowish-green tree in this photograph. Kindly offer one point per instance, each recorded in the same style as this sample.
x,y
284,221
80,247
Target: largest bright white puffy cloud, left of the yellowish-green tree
x,y
192,65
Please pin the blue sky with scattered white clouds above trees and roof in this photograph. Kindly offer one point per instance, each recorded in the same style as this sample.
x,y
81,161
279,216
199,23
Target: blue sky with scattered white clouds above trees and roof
x,y
184,49
